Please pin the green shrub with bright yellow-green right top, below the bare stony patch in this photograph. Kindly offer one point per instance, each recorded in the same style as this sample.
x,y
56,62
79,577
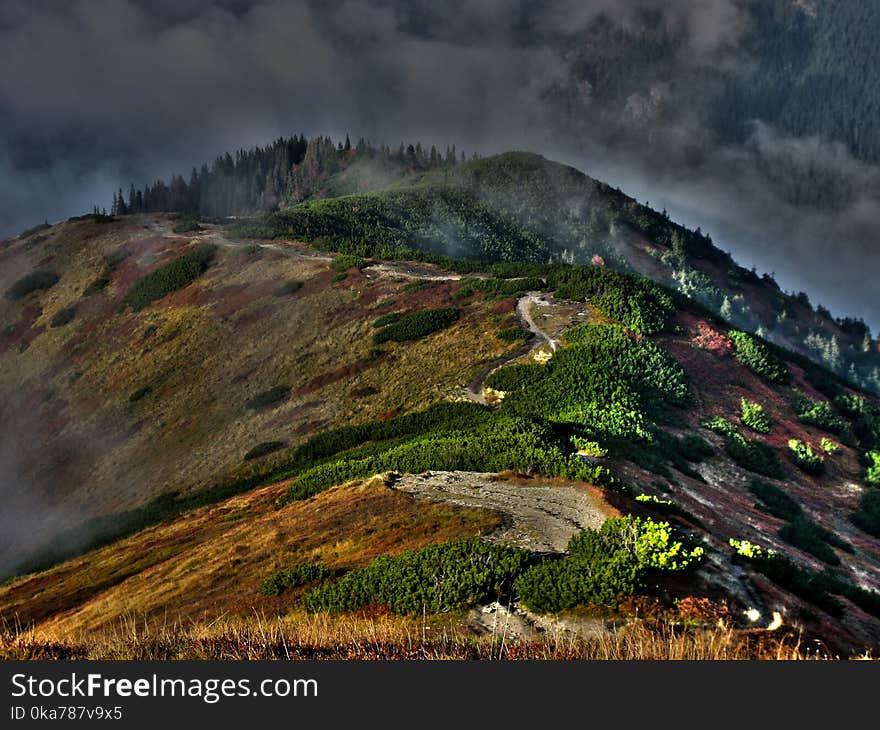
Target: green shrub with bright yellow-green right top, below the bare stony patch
x,y
605,564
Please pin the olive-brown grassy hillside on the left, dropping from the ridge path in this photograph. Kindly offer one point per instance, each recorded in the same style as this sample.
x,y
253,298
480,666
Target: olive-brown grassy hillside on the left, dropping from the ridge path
x,y
193,359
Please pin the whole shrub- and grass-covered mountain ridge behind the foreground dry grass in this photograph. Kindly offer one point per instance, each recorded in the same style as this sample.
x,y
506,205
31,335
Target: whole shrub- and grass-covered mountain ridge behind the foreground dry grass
x,y
196,347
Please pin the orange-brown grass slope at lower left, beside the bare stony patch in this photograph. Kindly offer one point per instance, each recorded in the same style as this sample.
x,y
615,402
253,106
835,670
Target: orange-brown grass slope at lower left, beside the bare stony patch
x,y
212,562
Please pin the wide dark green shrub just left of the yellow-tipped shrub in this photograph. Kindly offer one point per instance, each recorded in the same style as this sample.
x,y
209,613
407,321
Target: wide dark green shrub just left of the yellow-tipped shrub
x,y
434,579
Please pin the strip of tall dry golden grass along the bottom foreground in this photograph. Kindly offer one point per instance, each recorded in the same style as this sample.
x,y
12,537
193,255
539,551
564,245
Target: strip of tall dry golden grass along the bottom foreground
x,y
384,636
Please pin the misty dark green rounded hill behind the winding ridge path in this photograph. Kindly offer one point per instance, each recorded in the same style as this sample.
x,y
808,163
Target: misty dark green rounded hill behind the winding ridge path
x,y
519,207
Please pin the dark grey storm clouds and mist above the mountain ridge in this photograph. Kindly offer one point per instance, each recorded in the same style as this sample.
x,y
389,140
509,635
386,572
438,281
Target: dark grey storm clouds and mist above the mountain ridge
x,y
98,93
